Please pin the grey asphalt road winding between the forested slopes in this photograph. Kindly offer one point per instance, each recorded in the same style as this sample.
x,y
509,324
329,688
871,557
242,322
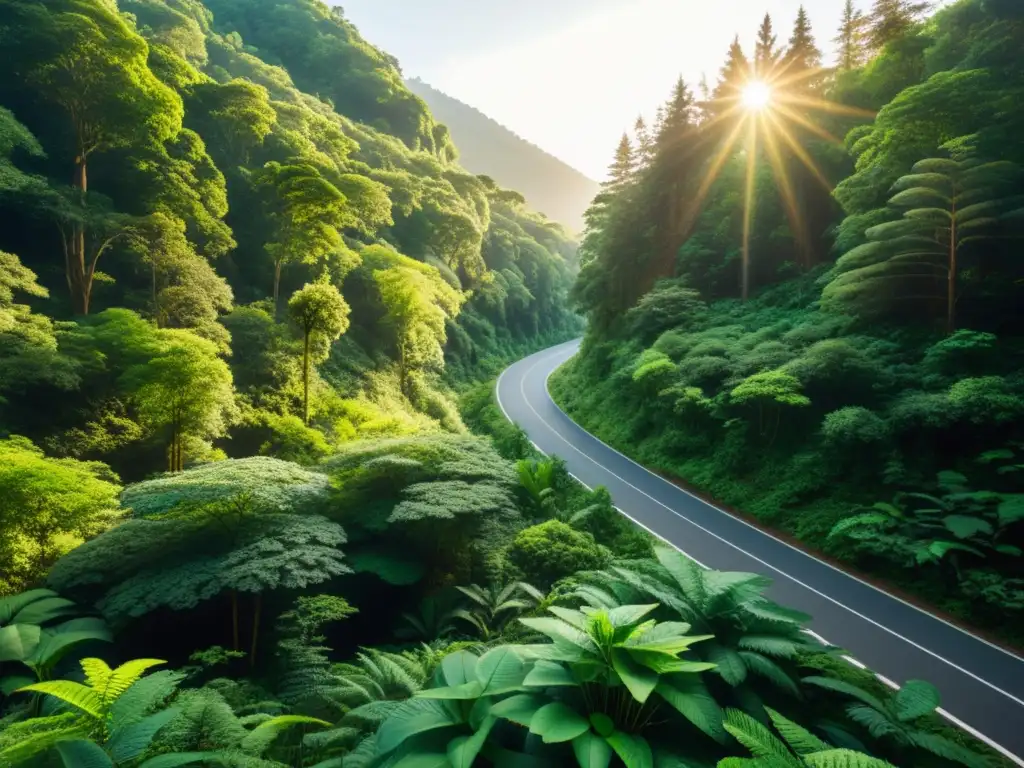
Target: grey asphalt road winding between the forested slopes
x,y
983,686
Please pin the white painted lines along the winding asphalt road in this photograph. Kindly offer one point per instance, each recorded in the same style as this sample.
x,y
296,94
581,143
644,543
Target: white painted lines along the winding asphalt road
x,y
855,662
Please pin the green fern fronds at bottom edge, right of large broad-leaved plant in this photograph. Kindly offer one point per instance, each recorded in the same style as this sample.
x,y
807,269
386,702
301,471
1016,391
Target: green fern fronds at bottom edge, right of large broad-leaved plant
x,y
798,748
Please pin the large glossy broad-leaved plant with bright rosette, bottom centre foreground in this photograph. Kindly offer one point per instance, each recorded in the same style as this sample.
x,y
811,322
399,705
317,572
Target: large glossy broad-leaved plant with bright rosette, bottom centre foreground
x,y
590,694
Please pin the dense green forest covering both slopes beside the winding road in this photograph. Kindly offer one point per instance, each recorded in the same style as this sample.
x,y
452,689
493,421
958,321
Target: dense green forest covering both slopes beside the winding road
x,y
260,508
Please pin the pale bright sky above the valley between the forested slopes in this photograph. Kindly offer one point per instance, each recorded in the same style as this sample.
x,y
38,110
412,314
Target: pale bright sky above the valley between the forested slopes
x,y
573,75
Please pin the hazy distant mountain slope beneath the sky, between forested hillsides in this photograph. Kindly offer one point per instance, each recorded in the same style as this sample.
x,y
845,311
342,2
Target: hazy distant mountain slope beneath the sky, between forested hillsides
x,y
487,148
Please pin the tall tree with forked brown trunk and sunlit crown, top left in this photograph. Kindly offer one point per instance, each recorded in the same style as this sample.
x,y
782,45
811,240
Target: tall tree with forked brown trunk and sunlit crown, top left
x,y
82,57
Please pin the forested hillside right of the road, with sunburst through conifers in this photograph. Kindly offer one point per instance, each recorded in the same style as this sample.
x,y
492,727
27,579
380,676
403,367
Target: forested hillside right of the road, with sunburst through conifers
x,y
834,349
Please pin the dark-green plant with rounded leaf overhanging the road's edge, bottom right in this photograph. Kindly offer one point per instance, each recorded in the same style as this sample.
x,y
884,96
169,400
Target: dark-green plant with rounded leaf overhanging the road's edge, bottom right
x,y
897,718
